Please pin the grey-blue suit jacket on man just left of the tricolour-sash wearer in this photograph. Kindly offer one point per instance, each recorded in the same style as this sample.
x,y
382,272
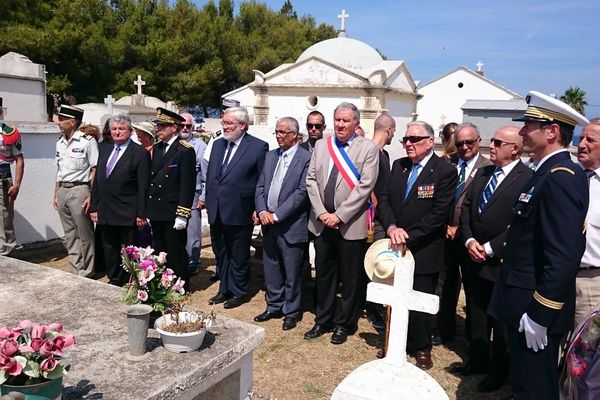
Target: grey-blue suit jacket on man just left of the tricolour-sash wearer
x,y
292,208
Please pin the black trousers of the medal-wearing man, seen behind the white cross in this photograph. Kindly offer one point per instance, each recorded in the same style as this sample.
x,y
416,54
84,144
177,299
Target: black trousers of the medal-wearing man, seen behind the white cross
x,y
419,323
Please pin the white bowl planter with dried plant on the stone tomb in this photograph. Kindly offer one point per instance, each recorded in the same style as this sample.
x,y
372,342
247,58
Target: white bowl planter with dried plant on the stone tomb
x,y
183,330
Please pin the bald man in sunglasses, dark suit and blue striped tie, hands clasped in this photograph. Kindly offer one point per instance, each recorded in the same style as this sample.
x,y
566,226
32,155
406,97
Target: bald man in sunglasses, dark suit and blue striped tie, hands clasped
x,y
486,211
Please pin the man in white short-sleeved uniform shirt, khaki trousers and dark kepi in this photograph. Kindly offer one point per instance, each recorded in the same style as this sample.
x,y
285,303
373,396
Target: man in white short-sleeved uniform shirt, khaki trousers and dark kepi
x,y
76,158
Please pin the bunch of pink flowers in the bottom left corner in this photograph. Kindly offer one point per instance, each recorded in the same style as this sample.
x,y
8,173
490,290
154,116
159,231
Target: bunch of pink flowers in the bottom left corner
x,y
31,353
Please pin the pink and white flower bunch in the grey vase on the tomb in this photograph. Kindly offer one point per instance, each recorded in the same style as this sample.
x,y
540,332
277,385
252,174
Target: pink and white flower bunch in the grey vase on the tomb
x,y
151,282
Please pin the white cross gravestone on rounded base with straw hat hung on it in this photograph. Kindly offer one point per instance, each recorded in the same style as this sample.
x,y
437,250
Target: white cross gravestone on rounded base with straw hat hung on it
x,y
392,377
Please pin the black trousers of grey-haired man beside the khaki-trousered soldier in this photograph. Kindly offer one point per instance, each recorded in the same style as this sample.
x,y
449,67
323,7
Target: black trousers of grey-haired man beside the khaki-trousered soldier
x,y
113,238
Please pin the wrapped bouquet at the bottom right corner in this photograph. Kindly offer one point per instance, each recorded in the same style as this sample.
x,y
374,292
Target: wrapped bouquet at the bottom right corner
x,y
581,374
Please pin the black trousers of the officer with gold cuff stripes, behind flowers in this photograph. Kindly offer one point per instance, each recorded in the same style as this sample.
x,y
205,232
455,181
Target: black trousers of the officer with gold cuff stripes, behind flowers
x,y
172,242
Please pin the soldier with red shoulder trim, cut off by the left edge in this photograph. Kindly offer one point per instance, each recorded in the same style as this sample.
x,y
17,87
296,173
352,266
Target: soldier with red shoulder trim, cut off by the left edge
x,y
10,151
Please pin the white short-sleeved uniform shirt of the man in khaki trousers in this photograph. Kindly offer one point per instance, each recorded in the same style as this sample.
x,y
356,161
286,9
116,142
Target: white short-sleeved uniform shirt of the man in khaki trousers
x,y
76,157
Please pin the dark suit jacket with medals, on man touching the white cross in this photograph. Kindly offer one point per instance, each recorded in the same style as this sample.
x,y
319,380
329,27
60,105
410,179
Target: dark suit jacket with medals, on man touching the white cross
x,y
424,214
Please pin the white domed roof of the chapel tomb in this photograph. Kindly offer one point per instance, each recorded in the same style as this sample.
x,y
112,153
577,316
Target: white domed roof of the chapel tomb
x,y
345,52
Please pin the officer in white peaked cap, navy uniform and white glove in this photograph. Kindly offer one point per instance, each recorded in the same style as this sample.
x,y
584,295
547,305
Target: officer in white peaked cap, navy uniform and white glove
x,y
534,295
